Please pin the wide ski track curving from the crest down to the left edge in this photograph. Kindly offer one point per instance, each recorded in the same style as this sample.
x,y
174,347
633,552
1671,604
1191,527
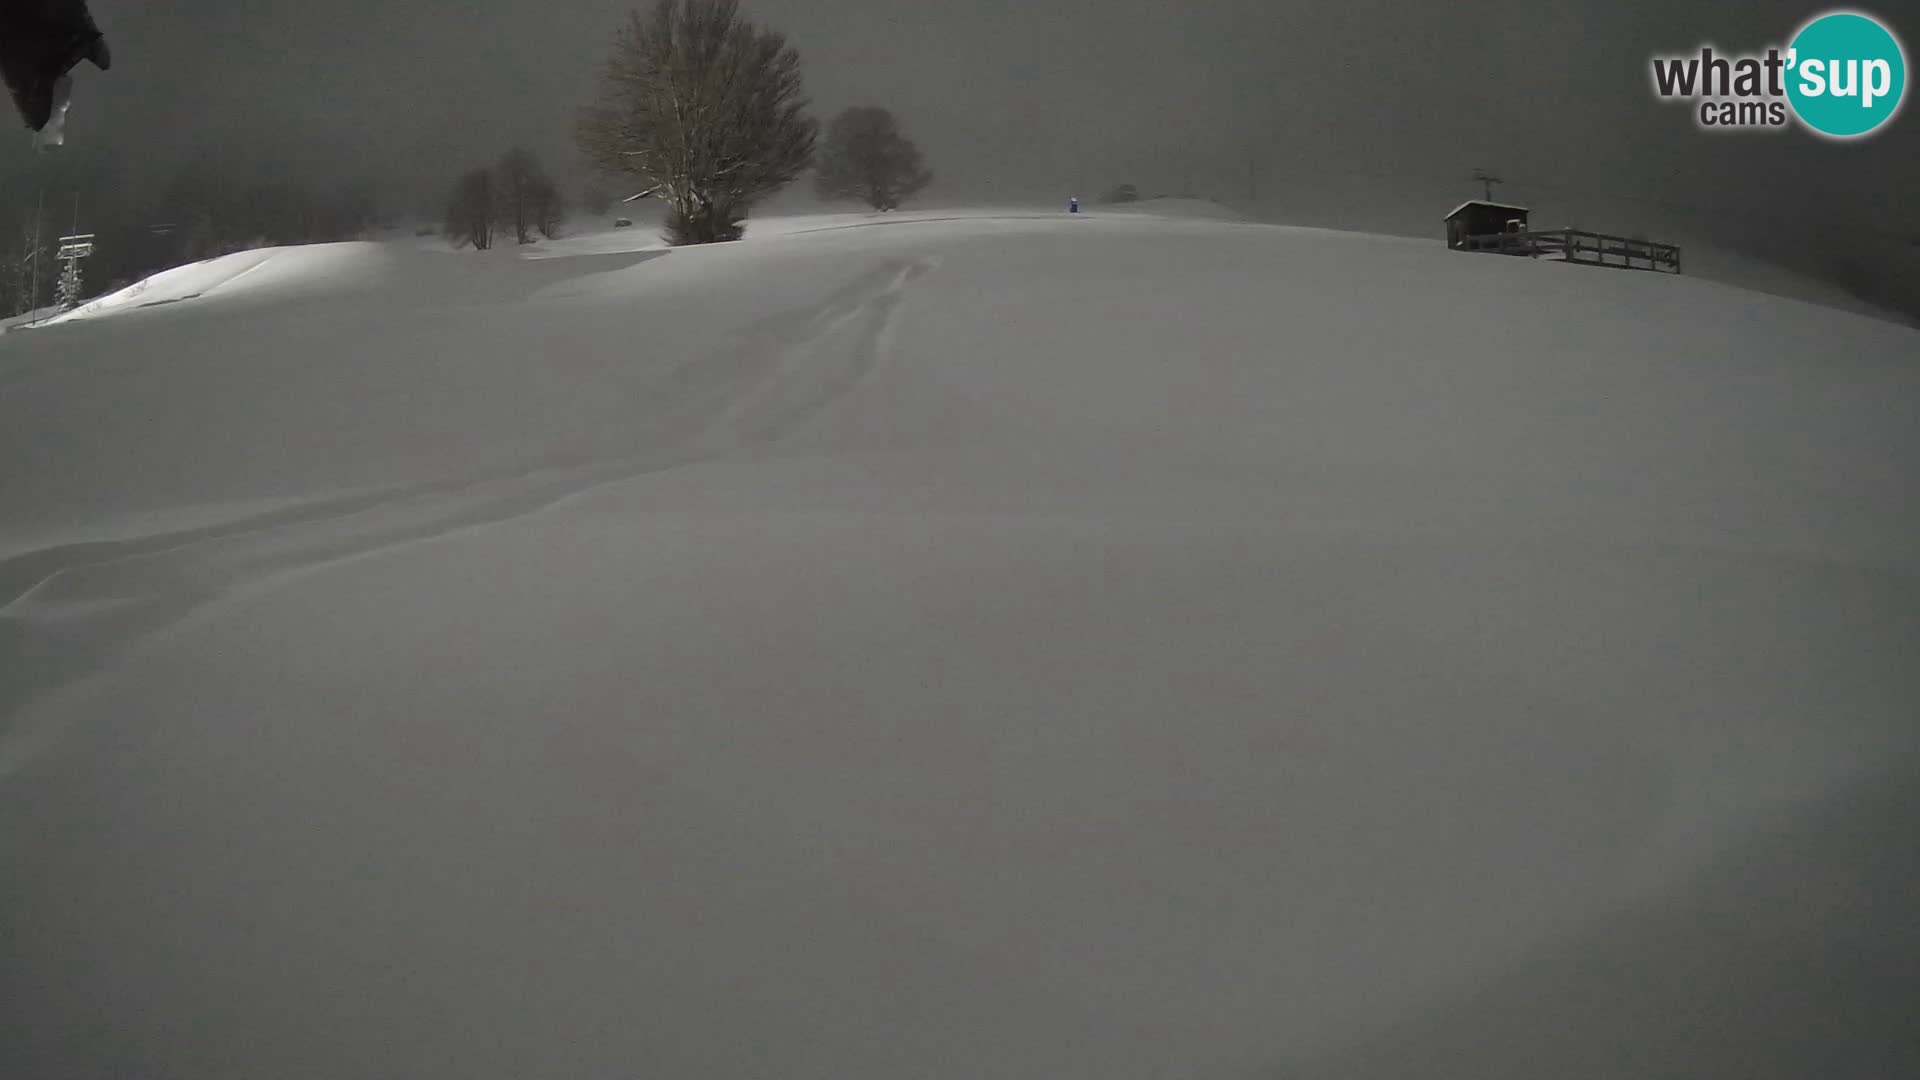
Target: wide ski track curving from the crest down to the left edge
x,y
70,610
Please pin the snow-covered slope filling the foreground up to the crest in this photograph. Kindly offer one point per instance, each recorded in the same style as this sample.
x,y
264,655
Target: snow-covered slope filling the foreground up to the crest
x,y
959,647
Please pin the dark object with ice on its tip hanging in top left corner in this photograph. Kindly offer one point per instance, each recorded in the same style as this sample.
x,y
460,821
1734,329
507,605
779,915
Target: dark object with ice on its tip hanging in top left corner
x,y
41,43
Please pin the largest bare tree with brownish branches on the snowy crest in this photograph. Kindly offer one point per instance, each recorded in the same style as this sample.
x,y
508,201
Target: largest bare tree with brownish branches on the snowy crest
x,y
704,110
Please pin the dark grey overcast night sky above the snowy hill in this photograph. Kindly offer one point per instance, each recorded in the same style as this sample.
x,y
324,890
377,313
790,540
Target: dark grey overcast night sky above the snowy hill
x,y
1368,107
